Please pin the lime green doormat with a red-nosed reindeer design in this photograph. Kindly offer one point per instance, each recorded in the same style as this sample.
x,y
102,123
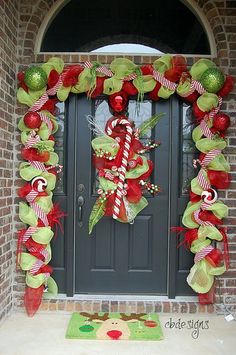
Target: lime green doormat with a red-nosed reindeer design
x,y
114,326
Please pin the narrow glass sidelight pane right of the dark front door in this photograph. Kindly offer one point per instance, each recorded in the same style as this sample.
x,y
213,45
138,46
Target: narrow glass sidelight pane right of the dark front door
x,y
189,150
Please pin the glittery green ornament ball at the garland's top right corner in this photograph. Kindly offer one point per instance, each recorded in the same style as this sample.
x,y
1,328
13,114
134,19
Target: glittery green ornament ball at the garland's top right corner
x,y
212,80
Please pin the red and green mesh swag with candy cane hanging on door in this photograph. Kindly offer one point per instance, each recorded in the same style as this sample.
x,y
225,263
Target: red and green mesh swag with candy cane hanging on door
x,y
122,171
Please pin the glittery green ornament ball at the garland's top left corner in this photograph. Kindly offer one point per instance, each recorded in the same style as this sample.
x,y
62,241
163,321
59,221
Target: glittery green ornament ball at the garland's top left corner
x,y
35,78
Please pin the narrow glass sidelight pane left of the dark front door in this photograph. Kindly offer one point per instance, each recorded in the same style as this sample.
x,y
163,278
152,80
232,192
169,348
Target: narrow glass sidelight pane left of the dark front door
x,y
60,144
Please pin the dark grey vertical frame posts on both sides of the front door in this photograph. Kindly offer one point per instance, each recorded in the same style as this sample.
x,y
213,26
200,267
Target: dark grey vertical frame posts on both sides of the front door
x,y
174,129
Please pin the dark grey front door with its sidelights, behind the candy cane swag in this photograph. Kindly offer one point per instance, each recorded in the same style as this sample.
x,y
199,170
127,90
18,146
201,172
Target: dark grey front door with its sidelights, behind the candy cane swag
x,y
119,258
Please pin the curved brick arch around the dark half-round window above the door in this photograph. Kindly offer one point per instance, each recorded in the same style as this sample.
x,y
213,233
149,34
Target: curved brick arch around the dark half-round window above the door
x,y
36,18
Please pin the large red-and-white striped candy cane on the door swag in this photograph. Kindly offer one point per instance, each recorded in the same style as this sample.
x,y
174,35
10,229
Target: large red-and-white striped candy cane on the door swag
x,y
124,162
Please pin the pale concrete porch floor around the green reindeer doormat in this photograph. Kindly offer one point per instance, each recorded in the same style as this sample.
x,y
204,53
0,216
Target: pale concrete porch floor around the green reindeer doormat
x,y
45,334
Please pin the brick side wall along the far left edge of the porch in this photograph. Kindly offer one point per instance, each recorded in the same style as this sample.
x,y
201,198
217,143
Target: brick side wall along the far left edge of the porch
x,y
8,49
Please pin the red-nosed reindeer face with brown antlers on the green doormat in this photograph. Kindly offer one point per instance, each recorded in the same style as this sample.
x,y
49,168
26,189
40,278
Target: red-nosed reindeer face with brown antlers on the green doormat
x,y
113,328
